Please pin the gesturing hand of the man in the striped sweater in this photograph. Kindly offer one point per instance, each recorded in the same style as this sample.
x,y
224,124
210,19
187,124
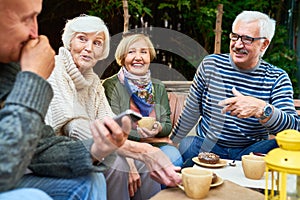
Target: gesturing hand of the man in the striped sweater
x,y
242,106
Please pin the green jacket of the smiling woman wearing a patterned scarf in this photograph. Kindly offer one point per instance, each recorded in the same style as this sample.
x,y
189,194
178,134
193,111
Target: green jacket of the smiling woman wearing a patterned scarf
x,y
119,99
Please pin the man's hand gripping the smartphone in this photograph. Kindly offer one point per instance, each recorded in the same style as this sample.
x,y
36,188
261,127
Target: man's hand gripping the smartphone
x,y
108,136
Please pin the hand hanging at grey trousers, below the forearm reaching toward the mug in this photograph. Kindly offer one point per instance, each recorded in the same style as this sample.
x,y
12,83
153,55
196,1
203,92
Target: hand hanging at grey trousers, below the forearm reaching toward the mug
x,y
134,179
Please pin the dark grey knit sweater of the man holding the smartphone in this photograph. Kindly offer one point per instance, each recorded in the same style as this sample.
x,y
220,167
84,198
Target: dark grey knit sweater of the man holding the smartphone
x,y
25,140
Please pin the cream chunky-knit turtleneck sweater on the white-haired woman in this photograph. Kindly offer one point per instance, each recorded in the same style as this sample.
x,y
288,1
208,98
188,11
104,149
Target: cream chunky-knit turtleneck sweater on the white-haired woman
x,y
78,98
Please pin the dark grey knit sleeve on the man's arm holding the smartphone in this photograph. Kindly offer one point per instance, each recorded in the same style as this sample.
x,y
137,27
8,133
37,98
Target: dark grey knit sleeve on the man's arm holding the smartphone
x,y
60,156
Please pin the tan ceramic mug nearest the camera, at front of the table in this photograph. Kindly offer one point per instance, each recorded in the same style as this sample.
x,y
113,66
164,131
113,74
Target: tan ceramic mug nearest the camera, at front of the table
x,y
196,182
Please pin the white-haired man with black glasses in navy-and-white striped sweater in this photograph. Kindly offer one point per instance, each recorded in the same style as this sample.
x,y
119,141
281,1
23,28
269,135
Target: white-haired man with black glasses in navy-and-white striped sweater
x,y
242,100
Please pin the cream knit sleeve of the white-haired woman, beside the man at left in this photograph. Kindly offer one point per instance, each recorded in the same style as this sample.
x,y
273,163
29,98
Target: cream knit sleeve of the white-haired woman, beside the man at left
x,y
66,115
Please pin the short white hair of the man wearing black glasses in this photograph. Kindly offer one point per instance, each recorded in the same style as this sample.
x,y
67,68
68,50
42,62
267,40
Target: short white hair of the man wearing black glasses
x,y
267,25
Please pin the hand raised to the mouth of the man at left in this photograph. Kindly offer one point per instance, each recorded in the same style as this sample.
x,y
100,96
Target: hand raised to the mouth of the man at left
x,y
37,56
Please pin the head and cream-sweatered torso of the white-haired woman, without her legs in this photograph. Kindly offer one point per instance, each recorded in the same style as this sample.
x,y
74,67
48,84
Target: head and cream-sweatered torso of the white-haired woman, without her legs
x,y
78,94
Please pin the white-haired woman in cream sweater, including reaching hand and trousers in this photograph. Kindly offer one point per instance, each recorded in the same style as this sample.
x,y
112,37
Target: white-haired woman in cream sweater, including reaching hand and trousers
x,y
79,98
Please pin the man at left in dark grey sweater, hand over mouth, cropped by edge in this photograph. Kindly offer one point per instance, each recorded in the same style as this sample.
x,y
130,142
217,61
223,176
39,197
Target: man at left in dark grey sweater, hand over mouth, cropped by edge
x,y
62,168
